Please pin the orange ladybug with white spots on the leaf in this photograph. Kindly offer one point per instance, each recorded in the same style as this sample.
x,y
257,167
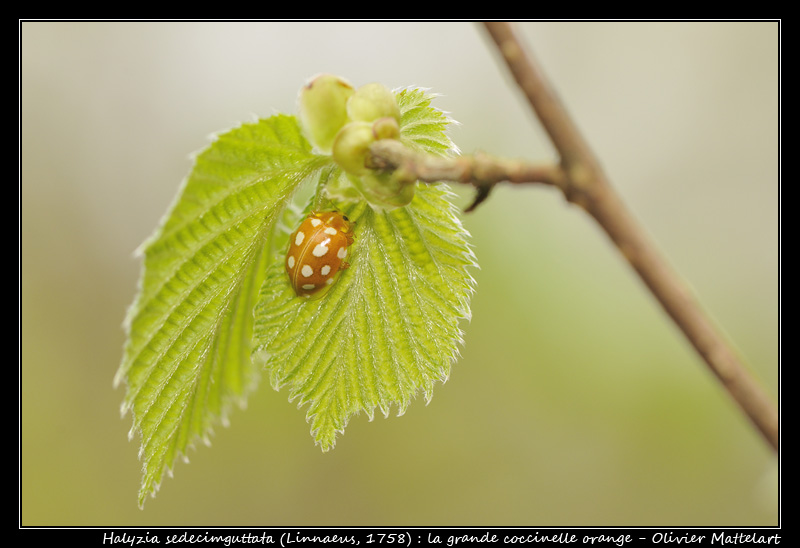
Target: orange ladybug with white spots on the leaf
x,y
317,250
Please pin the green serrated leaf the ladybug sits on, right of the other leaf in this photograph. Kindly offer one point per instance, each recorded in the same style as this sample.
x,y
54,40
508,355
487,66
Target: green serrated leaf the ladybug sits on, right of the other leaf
x,y
389,327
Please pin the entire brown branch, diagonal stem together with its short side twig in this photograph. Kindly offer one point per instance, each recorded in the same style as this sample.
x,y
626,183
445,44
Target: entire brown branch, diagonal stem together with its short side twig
x,y
583,182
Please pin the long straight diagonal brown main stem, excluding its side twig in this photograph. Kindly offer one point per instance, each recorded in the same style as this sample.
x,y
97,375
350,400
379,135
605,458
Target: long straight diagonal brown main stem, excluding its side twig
x,y
587,185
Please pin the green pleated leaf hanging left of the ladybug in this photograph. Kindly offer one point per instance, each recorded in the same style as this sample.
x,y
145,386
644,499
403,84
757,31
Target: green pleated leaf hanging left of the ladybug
x,y
187,356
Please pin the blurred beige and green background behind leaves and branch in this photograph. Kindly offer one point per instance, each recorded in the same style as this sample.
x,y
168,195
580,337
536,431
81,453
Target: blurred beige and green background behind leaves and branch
x,y
575,402
